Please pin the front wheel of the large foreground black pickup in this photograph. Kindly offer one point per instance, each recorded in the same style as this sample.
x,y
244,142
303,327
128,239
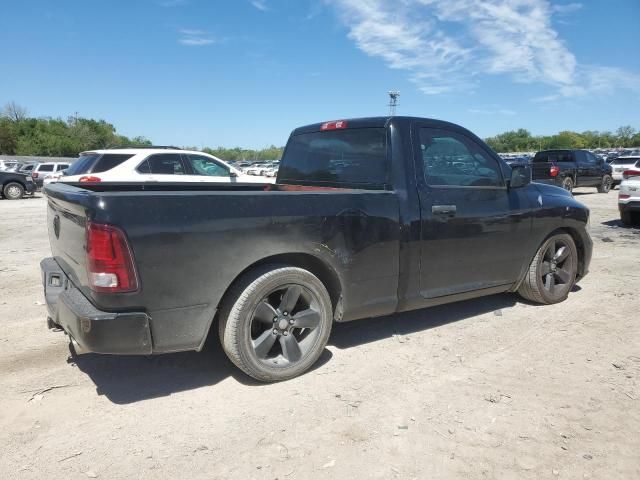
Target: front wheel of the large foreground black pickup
x,y
551,276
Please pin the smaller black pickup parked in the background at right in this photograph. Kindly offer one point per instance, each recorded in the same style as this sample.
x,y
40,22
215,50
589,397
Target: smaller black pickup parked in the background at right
x,y
571,168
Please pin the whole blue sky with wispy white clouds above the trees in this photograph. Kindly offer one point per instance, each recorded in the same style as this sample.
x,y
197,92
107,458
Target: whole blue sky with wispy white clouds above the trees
x,y
246,72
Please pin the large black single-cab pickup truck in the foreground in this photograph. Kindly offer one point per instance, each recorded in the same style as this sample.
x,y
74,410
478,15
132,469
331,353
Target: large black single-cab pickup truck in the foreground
x,y
367,217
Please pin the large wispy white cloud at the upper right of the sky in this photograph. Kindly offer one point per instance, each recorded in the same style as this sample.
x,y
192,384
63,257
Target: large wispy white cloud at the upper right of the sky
x,y
446,45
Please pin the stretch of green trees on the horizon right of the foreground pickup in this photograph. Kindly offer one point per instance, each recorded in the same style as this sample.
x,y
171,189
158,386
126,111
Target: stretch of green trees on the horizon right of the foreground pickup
x,y
521,140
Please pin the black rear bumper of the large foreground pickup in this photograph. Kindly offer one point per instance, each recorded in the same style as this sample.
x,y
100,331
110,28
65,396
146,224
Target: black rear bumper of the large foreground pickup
x,y
90,329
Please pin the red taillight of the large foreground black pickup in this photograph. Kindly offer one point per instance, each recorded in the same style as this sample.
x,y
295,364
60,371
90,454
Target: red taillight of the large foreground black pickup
x,y
109,260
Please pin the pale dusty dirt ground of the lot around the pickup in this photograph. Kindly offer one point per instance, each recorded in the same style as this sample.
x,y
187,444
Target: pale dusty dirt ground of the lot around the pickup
x,y
489,388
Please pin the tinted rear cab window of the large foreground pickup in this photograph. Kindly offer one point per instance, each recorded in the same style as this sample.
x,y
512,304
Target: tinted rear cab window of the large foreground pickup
x,y
354,157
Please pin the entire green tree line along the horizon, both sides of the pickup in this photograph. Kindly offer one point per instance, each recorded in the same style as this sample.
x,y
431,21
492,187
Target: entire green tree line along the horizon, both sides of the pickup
x,y
54,137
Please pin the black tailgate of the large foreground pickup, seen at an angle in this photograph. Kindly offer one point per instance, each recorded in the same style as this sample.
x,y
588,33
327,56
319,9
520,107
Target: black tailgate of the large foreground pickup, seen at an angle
x,y
67,211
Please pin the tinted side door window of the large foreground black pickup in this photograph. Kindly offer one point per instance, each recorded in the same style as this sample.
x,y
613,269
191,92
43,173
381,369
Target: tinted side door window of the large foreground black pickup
x,y
450,159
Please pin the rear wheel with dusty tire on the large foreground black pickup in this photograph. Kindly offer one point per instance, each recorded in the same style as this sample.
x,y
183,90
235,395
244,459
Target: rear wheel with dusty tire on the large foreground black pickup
x,y
261,336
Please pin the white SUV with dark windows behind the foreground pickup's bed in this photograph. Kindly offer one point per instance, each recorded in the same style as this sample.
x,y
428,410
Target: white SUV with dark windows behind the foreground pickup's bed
x,y
153,164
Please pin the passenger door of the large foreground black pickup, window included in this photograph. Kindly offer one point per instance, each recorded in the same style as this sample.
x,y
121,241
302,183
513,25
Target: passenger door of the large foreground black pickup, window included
x,y
473,228
